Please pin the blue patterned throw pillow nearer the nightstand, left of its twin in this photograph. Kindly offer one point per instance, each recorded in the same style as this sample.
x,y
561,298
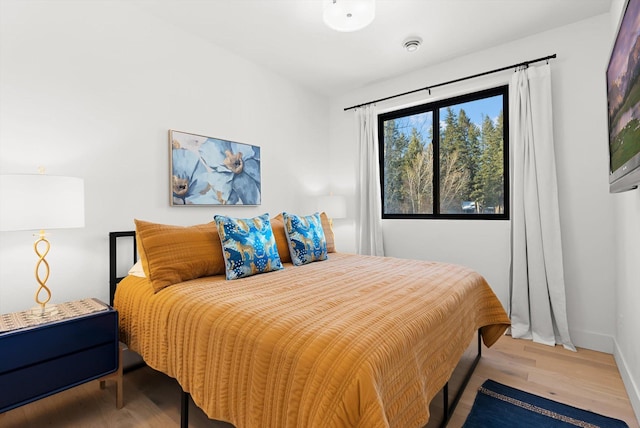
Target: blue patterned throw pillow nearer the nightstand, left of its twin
x,y
248,245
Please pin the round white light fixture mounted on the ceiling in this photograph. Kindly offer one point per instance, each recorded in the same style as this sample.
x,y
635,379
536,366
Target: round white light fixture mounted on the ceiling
x,y
348,15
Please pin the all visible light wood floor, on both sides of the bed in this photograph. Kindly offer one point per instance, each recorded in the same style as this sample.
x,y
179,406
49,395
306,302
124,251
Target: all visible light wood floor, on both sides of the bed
x,y
586,379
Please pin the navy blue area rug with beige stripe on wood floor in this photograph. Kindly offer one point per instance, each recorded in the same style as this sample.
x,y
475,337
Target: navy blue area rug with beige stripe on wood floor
x,y
498,406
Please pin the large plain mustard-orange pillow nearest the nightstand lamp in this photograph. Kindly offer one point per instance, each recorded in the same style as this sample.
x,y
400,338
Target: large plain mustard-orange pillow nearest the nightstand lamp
x,y
173,254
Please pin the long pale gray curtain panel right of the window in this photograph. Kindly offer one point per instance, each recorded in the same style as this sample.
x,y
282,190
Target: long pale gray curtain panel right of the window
x,y
538,302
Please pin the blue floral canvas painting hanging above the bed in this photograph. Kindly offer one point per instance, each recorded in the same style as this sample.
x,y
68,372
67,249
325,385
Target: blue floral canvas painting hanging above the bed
x,y
212,171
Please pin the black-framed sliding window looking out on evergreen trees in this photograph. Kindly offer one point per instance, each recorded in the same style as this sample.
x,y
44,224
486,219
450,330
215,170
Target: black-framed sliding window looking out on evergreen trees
x,y
457,170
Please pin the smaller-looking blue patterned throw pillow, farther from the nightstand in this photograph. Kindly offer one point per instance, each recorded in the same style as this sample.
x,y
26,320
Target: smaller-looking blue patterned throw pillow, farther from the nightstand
x,y
305,235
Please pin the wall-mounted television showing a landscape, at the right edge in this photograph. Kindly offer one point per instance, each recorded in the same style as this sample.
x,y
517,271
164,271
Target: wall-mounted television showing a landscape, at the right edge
x,y
623,96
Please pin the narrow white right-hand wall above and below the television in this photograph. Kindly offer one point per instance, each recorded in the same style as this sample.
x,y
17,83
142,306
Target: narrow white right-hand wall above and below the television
x,y
627,273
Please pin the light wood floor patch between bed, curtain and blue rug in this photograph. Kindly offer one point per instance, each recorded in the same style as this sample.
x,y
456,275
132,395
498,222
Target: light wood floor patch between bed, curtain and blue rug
x,y
585,379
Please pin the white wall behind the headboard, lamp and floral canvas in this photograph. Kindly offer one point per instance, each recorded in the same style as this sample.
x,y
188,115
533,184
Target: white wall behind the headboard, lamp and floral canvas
x,y
89,89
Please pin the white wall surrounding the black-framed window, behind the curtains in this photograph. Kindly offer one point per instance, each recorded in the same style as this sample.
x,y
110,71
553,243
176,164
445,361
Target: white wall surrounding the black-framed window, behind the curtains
x,y
586,210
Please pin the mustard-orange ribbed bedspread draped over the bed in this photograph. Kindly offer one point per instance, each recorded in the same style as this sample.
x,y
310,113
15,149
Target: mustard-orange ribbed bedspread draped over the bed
x,y
353,341
